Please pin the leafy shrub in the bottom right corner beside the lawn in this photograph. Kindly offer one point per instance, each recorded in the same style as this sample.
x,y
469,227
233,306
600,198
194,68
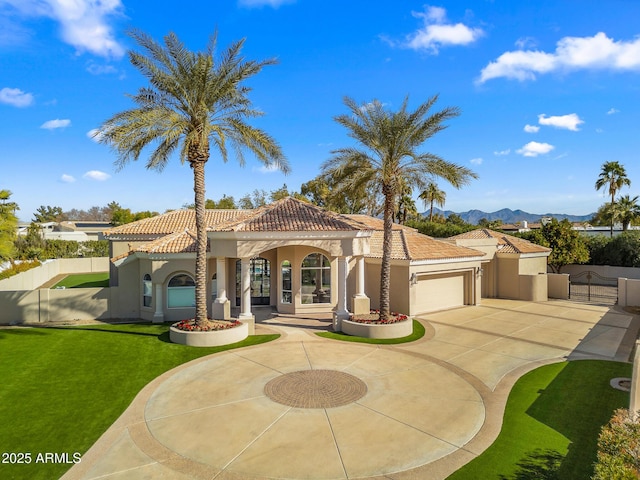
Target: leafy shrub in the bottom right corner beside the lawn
x,y
619,448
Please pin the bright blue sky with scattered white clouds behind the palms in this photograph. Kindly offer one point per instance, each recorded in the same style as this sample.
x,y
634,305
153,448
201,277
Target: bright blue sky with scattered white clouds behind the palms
x,y
548,92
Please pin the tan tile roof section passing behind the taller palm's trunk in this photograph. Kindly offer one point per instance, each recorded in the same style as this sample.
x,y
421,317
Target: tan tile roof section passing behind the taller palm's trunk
x,y
170,222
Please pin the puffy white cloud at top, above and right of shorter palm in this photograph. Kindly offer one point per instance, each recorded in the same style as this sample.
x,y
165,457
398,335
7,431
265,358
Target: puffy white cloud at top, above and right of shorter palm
x,y
437,33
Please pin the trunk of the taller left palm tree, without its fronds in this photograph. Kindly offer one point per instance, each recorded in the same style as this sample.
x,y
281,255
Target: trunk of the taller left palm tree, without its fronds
x,y
201,232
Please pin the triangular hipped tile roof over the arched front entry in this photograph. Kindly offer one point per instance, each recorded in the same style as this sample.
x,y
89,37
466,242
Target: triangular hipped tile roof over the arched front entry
x,y
289,215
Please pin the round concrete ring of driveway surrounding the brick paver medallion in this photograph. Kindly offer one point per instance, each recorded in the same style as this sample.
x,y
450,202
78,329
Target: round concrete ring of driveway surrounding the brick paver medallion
x,y
216,413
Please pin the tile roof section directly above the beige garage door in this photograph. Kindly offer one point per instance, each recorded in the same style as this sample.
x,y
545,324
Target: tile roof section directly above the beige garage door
x,y
411,245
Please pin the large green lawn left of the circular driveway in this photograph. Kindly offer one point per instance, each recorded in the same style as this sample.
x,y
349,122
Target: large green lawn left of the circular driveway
x,y
62,387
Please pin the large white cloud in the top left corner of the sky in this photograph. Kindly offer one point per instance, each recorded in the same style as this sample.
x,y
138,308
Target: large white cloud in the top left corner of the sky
x,y
84,23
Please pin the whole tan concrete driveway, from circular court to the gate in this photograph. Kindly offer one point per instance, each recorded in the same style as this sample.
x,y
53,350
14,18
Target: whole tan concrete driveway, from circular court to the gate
x,y
412,411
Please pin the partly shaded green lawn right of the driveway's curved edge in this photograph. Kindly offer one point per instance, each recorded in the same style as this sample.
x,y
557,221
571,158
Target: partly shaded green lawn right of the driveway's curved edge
x,y
551,423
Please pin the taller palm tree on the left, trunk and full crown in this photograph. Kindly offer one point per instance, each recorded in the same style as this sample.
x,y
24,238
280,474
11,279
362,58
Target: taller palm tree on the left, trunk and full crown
x,y
194,101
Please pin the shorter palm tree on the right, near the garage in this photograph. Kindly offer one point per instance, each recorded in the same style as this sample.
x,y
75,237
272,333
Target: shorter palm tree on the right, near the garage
x,y
387,156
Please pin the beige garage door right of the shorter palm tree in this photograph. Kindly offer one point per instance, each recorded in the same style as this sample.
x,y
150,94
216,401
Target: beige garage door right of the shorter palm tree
x,y
439,292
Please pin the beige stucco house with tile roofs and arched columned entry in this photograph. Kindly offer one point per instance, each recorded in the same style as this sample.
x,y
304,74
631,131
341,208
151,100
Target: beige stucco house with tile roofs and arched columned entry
x,y
300,258
